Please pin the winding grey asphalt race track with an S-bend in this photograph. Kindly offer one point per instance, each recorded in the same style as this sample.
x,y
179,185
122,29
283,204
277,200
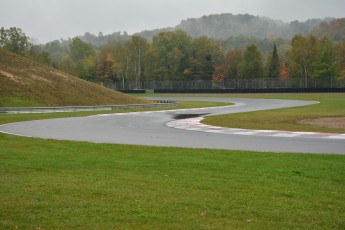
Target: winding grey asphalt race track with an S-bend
x,y
150,128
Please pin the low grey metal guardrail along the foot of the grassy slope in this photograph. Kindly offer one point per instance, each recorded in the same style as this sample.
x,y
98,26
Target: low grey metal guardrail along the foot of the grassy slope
x,y
156,104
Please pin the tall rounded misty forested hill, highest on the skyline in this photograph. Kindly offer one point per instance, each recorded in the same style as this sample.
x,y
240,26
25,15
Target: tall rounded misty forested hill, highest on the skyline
x,y
223,26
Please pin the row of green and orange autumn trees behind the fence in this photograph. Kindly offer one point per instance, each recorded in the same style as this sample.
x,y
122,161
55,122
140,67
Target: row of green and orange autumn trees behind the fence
x,y
176,56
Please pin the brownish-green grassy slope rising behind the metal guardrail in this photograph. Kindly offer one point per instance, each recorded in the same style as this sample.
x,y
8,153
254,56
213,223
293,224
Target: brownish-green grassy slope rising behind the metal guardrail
x,y
25,83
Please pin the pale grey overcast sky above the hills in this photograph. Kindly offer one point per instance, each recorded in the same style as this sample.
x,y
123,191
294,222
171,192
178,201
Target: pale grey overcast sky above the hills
x,y
47,20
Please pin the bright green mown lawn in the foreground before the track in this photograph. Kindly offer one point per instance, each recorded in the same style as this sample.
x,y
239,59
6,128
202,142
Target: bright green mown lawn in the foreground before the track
x,y
48,184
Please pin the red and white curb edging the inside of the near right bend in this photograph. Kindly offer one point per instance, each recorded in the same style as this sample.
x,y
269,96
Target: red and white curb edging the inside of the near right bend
x,y
194,124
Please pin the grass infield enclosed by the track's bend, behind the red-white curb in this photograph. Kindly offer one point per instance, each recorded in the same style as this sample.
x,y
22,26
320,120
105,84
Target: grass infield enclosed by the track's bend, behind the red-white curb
x,y
331,105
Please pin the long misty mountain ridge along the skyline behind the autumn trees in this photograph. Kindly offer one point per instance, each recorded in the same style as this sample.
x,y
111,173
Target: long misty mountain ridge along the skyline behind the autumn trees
x,y
226,27
